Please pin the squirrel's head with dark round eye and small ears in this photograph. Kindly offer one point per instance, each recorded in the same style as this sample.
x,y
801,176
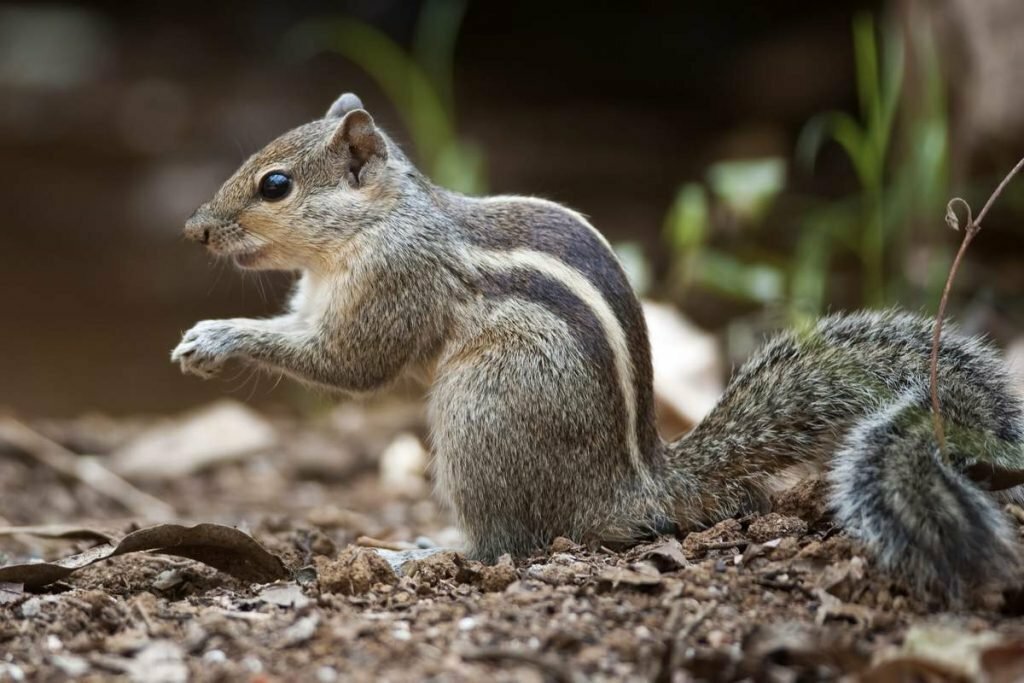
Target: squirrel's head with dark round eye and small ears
x,y
294,203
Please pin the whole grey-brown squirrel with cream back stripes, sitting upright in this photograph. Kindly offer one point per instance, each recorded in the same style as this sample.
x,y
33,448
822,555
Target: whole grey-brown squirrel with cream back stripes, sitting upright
x,y
541,410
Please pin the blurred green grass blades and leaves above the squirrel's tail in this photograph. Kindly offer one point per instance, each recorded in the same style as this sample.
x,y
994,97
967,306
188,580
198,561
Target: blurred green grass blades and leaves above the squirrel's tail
x,y
900,150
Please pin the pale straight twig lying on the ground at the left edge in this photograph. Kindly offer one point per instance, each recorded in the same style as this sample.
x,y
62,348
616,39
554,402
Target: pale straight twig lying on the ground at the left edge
x,y
87,471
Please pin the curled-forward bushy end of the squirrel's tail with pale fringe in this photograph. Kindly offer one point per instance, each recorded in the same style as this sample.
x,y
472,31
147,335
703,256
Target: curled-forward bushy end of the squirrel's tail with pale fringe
x,y
913,505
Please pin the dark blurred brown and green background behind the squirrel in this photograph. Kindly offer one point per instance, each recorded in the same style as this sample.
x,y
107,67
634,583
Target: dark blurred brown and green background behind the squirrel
x,y
754,163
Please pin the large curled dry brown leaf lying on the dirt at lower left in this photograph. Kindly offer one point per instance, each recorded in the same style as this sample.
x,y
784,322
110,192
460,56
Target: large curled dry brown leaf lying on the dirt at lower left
x,y
224,548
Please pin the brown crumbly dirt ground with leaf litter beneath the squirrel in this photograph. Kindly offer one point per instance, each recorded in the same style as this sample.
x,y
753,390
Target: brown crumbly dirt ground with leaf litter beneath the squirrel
x,y
781,597
